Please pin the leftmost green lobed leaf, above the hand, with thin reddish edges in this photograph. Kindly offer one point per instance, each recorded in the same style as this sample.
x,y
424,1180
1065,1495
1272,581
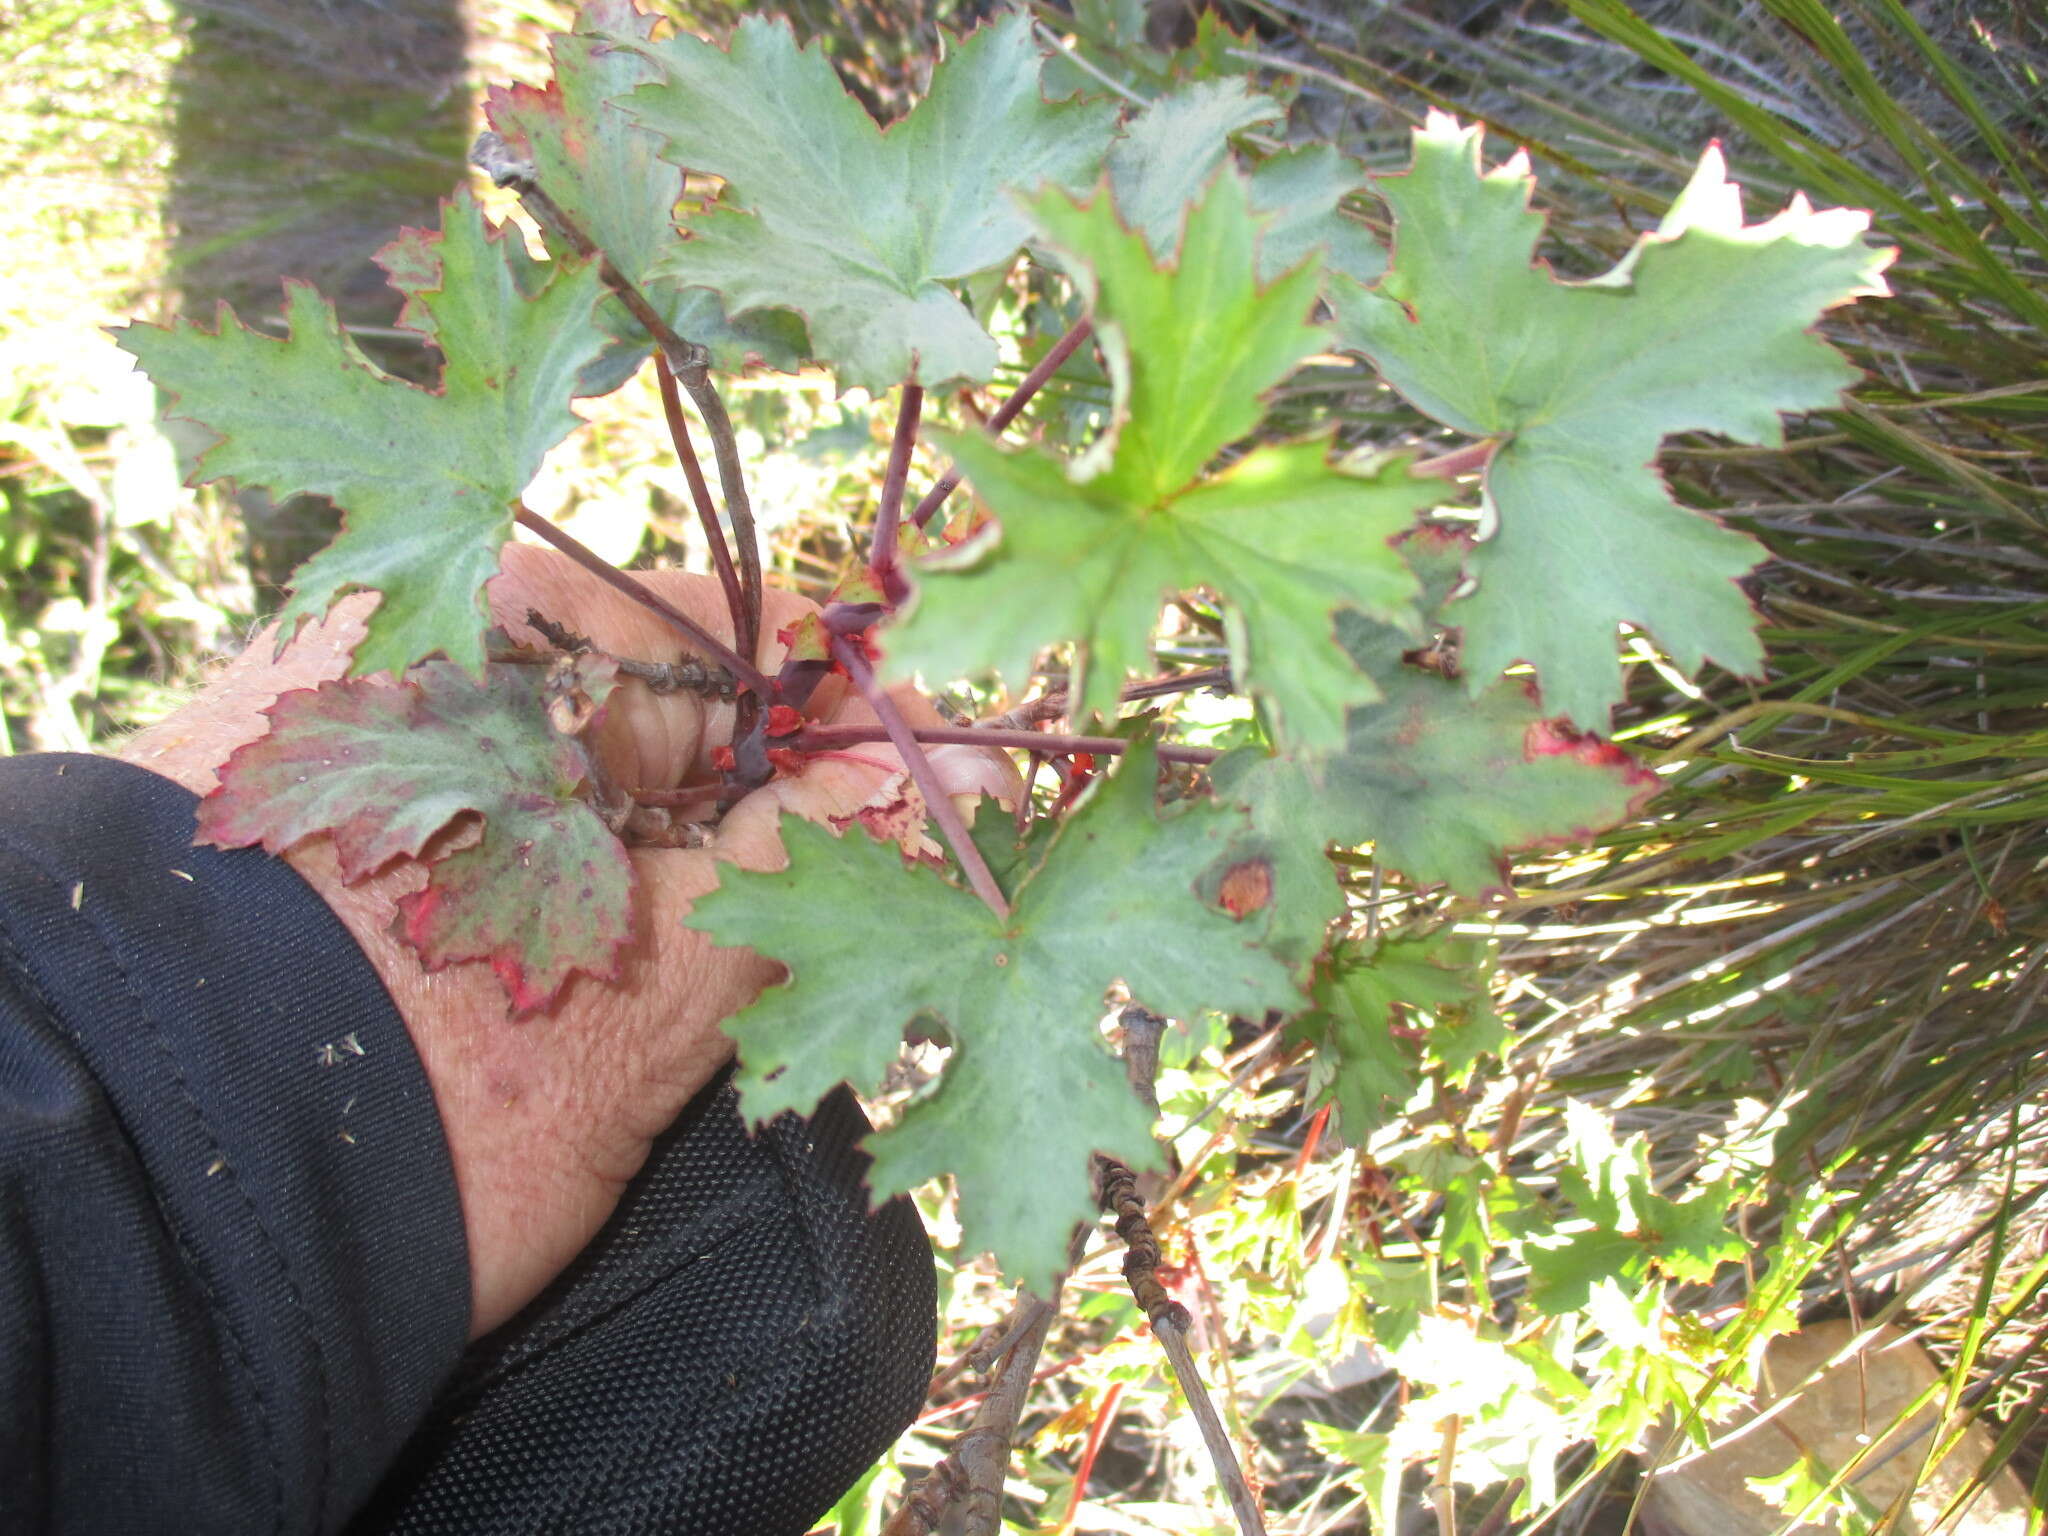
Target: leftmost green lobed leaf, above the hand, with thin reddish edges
x,y
427,480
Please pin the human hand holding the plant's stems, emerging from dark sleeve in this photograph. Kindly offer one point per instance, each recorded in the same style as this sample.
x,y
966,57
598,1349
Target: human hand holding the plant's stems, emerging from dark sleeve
x,y
550,1115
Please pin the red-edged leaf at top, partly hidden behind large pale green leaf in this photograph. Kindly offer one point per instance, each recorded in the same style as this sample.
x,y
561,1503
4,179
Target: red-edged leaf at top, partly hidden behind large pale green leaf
x,y
609,177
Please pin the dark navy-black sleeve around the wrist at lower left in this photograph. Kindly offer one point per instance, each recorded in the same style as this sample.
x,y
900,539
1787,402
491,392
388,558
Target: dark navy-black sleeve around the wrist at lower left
x,y
232,1267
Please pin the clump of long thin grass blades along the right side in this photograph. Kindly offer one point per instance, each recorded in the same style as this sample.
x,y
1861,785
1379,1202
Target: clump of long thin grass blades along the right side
x,y
1838,906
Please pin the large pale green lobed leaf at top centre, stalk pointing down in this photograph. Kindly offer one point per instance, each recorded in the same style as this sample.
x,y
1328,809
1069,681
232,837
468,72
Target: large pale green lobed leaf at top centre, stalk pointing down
x,y
853,228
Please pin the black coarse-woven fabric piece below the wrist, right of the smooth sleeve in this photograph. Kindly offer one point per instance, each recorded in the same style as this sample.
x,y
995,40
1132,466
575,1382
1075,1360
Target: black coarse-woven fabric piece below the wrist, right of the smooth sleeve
x,y
730,1355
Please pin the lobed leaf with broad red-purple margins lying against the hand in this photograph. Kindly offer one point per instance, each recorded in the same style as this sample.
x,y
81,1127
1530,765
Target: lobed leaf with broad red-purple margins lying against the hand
x,y
384,769
